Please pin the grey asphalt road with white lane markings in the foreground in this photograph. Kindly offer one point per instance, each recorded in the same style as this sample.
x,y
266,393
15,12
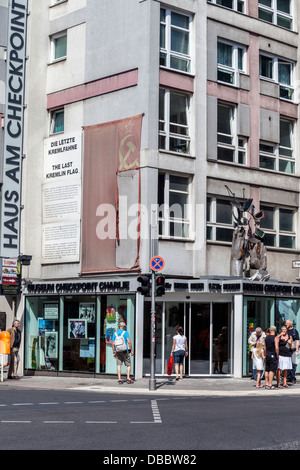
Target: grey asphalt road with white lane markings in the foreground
x,y
73,420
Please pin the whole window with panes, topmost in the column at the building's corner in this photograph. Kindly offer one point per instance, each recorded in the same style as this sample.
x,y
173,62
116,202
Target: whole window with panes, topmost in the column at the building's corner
x,y
175,40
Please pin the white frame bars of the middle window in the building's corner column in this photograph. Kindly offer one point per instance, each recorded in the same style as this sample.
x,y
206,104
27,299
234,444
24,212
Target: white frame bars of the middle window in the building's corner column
x,y
165,124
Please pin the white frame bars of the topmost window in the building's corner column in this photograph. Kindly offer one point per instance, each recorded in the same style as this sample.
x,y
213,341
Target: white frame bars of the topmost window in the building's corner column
x,y
166,51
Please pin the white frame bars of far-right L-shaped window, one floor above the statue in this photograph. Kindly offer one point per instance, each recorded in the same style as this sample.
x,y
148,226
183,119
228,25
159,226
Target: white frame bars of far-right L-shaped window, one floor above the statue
x,y
276,154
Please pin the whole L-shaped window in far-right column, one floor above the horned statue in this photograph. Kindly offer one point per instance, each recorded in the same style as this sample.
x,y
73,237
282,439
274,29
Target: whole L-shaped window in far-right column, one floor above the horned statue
x,y
279,157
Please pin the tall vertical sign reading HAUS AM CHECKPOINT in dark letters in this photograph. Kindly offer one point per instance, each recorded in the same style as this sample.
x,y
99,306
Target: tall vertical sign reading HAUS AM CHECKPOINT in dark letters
x,y
13,129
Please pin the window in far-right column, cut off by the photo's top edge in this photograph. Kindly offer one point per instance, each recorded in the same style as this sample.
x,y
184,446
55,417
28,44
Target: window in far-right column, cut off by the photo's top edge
x,y
278,12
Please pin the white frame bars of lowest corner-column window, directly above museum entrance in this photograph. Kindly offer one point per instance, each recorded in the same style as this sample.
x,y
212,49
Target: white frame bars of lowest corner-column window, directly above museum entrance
x,y
167,218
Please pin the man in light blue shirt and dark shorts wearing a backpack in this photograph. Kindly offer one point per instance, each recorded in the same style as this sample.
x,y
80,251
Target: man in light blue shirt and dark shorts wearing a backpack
x,y
122,349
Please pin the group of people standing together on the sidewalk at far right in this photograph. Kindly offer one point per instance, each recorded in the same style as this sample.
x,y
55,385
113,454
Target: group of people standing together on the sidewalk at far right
x,y
272,354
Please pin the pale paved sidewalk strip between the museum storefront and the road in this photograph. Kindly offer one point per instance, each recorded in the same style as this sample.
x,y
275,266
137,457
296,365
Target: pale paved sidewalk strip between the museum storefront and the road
x,y
166,386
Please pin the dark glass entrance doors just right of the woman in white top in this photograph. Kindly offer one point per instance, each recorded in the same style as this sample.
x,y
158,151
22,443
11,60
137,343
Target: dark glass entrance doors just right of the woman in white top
x,y
210,338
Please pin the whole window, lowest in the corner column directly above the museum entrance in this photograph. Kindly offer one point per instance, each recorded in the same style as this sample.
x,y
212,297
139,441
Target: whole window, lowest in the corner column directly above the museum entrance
x,y
174,206
